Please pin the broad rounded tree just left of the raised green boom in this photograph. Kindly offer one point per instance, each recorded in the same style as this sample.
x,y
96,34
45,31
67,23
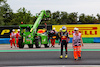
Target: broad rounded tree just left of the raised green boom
x,y
22,15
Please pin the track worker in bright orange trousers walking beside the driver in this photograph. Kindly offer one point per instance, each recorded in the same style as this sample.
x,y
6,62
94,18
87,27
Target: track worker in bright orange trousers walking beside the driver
x,y
77,42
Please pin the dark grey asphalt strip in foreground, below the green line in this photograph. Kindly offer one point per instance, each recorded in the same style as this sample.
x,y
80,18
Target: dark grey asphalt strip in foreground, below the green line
x,y
39,58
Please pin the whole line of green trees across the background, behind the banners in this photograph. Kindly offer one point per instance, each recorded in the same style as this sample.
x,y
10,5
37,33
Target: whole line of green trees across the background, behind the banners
x,y
7,17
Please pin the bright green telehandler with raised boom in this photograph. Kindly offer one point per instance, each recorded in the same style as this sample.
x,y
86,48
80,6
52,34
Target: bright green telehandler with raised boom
x,y
29,35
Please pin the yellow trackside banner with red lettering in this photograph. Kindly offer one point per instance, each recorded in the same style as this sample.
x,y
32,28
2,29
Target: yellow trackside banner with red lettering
x,y
87,30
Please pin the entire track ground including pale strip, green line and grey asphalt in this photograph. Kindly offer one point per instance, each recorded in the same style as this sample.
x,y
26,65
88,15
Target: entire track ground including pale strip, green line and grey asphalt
x,y
47,56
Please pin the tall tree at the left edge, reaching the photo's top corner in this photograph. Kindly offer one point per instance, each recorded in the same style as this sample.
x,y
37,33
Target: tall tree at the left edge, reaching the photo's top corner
x,y
5,12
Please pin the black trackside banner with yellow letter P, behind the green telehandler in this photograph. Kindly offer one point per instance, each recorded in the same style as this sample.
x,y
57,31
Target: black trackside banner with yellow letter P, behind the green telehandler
x,y
6,30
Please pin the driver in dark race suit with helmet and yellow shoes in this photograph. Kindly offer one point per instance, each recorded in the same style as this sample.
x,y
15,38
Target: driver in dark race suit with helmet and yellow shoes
x,y
64,41
